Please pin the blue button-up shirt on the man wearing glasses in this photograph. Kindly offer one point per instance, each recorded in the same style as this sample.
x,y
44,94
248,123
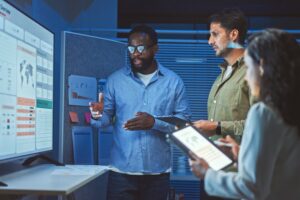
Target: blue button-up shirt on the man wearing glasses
x,y
142,151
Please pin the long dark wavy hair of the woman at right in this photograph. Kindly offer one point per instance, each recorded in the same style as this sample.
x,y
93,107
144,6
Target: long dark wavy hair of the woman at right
x,y
280,83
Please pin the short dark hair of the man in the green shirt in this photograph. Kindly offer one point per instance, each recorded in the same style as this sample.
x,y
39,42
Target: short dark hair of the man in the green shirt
x,y
232,18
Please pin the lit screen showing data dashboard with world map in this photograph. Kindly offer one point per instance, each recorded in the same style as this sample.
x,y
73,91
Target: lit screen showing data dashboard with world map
x,y
26,84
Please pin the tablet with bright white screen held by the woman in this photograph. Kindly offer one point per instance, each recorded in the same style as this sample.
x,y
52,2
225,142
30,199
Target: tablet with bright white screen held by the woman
x,y
190,139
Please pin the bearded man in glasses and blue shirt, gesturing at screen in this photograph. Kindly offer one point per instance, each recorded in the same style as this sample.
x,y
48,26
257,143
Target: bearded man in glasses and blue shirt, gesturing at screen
x,y
140,155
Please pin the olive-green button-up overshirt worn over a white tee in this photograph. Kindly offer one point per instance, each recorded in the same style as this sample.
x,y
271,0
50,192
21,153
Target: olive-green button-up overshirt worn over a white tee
x,y
230,99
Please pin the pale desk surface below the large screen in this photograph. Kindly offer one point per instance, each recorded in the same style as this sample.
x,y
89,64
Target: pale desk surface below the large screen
x,y
50,179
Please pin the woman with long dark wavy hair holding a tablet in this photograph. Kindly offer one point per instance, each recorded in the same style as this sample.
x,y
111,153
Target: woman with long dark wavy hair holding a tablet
x,y
269,156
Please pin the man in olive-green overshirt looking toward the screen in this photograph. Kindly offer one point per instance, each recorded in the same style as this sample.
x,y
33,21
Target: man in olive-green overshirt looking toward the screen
x,y
229,99
